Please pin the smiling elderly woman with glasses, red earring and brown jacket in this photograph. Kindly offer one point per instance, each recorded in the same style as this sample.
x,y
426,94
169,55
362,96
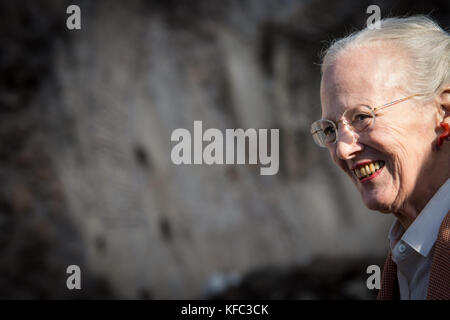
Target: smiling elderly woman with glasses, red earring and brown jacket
x,y
385,97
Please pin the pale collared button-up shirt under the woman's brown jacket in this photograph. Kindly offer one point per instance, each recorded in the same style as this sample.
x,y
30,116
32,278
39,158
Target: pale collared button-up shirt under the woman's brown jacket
x,y
413,253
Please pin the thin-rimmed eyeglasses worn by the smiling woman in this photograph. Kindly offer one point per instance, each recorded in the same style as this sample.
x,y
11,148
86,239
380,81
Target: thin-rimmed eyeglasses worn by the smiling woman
x,y
359,119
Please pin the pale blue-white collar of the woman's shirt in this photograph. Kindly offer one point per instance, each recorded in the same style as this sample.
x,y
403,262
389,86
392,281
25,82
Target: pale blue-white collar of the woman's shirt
x,y
423,232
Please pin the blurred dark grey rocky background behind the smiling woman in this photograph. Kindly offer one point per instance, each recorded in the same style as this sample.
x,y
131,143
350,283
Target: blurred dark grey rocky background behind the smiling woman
x,y
86,177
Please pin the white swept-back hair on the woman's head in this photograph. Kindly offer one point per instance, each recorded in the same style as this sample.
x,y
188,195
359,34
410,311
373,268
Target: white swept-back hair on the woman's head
x,y
426,44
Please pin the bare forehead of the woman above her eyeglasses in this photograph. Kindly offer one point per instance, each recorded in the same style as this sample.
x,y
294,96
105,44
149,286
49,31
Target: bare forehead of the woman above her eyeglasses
x,y
371,74
